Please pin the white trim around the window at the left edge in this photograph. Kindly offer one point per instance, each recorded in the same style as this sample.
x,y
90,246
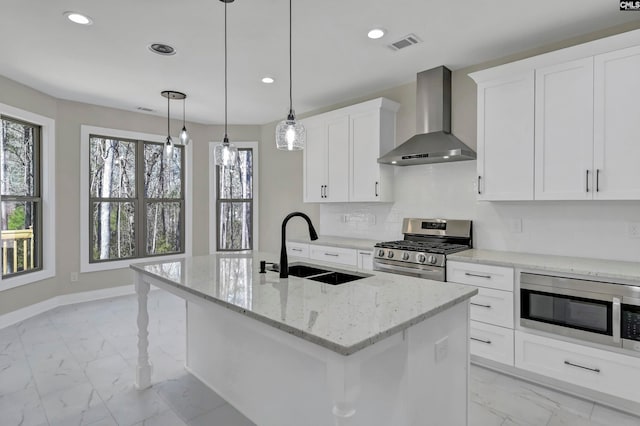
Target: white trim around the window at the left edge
x,y
47,192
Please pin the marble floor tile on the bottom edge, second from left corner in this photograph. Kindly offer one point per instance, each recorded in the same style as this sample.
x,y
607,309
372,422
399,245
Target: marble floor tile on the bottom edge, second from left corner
x,y
75,406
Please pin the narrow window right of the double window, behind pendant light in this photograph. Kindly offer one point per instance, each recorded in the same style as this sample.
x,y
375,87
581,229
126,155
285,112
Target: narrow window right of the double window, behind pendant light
x,y
234,205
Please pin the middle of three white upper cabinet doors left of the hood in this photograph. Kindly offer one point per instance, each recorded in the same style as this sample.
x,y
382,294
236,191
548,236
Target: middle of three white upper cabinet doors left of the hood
x,y
337,189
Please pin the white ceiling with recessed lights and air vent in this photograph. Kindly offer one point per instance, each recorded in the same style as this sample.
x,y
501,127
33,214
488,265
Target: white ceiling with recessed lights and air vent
x,y
109,64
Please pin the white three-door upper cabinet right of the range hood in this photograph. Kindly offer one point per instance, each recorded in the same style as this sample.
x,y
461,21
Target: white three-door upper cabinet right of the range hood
x,y
573,137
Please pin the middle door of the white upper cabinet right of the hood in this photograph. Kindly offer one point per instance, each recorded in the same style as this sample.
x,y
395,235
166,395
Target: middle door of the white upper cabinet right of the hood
x,y
564,131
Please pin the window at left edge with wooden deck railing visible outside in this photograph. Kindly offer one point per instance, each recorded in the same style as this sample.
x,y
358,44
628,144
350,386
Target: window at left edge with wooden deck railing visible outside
x,y
21,205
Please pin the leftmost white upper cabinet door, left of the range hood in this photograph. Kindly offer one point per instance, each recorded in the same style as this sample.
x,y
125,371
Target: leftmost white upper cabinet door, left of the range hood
x,y
315,161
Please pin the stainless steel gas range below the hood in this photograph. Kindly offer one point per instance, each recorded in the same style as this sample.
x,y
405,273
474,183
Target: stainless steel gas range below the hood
x,y
423,252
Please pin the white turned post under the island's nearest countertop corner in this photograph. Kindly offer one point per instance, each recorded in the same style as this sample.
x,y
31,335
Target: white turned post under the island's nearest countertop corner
x,y
343,377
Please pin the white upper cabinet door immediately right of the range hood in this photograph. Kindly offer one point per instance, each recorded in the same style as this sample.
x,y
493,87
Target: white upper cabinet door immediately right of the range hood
x,y
505,138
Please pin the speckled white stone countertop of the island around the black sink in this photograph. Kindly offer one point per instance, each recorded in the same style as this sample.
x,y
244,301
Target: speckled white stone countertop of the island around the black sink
x,y
344,318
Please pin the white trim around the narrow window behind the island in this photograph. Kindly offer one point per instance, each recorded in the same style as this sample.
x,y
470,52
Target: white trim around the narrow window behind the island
x,y
212,194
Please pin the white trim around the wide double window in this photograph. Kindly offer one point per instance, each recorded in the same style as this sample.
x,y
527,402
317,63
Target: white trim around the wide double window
x,y
85,132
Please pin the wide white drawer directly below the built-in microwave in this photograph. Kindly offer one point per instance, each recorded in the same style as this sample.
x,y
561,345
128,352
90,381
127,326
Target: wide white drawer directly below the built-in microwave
x,y
597,369
